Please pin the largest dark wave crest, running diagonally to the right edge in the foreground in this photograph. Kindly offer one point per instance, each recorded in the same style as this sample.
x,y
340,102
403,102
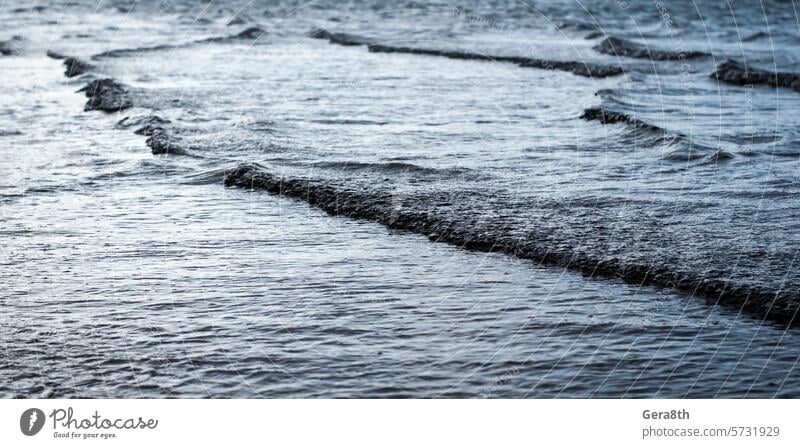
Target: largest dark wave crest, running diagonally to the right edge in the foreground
x,y
432,216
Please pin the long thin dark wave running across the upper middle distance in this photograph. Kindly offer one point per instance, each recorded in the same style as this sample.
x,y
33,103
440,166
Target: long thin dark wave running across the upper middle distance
x,y
578,68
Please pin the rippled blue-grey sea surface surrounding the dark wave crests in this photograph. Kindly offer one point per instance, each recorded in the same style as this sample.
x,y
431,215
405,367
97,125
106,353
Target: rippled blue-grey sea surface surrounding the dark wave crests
x,y
128,274
